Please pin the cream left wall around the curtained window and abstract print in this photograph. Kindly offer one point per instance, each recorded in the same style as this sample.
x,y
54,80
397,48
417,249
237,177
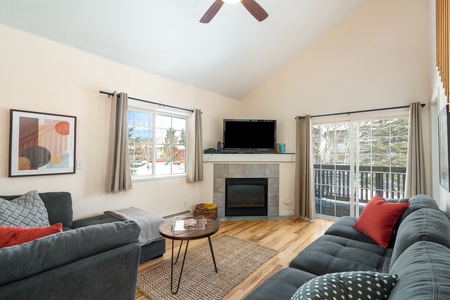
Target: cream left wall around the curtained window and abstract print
x,y
40,75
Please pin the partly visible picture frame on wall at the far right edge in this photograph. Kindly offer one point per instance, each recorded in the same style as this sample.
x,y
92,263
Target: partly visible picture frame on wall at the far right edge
x,y
443,140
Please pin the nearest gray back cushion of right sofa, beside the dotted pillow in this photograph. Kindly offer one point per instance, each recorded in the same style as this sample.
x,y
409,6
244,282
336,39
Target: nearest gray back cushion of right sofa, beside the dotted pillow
x,y
423,273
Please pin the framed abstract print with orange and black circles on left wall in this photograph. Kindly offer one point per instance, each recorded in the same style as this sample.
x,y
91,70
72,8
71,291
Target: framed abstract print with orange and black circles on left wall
x,y
41,143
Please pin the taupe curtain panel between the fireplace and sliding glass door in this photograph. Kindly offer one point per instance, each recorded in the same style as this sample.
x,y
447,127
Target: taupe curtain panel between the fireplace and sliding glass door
x,y
304,197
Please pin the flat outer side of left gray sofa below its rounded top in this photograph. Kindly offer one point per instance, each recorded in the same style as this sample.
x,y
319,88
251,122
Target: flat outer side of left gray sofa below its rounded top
x,y
107,275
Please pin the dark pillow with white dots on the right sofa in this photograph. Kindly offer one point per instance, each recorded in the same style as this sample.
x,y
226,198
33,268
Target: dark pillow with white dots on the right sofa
x,y
356,285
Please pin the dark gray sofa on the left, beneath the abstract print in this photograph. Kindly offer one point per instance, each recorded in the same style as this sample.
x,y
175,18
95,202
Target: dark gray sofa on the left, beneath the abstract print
x,y
93,258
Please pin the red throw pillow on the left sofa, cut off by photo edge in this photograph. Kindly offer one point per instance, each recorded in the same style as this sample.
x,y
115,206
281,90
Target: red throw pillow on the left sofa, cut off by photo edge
x,y
16,235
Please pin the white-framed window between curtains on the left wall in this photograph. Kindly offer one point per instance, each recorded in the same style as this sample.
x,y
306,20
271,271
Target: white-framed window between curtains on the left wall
x,y
157,143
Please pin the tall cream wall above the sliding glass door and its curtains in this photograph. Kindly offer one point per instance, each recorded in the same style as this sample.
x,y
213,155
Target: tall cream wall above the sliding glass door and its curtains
x,y
378,57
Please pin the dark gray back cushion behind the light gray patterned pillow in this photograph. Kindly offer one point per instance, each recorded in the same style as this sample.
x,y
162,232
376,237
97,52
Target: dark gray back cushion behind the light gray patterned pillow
x,y
58,205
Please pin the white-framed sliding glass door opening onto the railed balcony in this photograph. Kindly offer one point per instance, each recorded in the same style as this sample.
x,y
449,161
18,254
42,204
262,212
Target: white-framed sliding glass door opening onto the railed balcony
x,y
356,159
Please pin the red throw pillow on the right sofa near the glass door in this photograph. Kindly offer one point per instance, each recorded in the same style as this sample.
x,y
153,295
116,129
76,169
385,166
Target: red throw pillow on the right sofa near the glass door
x,y
378,219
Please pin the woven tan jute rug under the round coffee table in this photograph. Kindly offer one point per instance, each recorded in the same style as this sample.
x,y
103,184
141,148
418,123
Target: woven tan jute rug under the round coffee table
x,y
236,259
